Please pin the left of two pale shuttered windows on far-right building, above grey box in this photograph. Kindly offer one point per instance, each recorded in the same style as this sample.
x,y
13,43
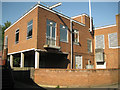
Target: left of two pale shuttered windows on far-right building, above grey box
x,y
99,41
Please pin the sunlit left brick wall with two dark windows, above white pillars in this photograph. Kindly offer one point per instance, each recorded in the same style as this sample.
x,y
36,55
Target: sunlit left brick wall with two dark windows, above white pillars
x,y
22,25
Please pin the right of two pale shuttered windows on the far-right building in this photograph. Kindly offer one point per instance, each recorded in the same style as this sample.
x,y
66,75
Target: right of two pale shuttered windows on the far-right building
x,y
113,42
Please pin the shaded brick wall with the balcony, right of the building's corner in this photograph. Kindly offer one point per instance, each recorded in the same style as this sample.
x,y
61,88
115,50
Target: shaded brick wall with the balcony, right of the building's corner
x,y
84,34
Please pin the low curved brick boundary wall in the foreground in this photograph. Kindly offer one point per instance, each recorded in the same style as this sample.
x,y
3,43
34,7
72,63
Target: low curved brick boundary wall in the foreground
x,y
76,78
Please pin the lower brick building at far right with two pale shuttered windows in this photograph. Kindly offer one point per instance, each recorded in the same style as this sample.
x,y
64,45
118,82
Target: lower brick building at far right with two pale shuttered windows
x,y
107,45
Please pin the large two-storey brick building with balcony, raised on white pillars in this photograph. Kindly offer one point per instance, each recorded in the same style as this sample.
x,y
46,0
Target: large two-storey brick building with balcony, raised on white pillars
x,y
44,38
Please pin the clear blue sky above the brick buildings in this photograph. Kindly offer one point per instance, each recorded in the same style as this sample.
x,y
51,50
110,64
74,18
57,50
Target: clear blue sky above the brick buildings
x,y
103,13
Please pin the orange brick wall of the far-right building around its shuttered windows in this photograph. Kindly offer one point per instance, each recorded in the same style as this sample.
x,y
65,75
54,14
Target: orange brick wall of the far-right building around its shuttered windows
x,y
111,54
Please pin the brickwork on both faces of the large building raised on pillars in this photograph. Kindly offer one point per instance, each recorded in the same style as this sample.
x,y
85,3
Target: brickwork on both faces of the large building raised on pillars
x,y
38,39
